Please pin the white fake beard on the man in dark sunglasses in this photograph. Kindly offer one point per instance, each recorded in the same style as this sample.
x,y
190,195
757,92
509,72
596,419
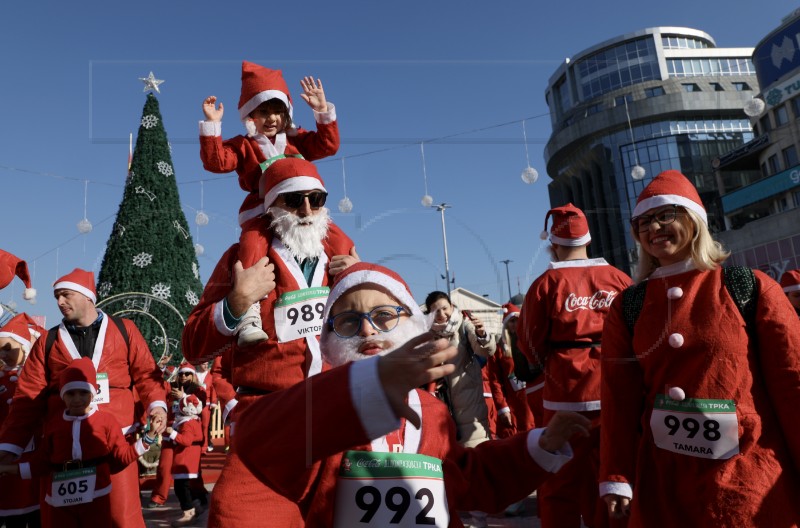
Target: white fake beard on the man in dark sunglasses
x,y
302,236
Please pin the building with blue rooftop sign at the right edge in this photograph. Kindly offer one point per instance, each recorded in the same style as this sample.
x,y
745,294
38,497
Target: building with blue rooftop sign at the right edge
x,y
760,181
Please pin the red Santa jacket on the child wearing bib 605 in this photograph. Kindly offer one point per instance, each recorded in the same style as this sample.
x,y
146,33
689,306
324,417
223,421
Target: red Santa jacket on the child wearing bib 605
x,y
99,444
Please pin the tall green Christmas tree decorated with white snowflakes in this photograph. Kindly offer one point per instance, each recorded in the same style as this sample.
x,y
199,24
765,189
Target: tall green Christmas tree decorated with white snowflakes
x,y
149,272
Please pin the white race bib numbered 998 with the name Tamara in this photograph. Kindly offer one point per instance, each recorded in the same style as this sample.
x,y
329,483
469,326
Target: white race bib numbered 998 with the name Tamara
x,y
694,427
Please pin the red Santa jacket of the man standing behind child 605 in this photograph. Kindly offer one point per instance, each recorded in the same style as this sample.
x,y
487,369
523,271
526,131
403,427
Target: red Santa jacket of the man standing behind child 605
x,y
38,396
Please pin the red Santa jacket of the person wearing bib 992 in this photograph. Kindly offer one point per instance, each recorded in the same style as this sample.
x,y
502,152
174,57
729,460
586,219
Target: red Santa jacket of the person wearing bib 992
x,y
487,477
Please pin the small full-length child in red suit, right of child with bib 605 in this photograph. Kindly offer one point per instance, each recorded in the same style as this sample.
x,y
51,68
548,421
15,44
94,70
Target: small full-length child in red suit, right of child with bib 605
x,y
186,435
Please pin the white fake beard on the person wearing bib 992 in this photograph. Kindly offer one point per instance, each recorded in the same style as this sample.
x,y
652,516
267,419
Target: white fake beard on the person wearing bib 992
x,y
340,351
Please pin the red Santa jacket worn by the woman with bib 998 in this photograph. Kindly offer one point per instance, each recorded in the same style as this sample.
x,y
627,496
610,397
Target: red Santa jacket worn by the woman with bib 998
x,y
690,336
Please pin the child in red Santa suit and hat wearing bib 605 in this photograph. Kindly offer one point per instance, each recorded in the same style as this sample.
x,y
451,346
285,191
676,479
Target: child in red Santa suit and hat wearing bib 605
x,y
80,450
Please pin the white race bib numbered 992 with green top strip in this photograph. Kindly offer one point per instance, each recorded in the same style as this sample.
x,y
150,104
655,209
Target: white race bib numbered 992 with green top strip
x,y
390,489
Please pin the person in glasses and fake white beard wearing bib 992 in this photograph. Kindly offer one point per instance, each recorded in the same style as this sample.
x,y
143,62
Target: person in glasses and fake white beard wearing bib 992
x,y
360,445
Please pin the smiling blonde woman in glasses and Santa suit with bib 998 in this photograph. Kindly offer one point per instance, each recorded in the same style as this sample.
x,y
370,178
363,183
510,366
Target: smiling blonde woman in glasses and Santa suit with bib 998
x,y
699,422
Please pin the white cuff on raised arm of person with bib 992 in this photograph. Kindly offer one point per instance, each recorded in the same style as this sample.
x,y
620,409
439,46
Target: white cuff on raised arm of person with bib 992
x,y
369,399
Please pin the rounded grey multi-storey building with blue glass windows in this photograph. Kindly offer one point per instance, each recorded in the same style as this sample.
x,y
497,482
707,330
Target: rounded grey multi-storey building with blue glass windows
x,y
656,99
